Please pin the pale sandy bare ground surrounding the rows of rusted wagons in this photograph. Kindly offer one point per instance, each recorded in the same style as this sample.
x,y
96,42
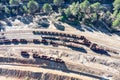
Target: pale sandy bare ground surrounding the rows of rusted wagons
x,y
90,62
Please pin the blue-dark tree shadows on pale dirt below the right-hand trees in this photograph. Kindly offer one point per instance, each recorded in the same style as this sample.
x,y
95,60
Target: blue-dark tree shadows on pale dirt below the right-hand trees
x,y
98,27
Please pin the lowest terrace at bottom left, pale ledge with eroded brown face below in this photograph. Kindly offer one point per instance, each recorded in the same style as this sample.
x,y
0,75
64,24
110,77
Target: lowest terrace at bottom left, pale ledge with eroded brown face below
x,y
37,73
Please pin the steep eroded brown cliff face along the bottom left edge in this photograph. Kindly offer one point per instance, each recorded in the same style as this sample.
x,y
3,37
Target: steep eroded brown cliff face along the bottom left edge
x,y
34,75
